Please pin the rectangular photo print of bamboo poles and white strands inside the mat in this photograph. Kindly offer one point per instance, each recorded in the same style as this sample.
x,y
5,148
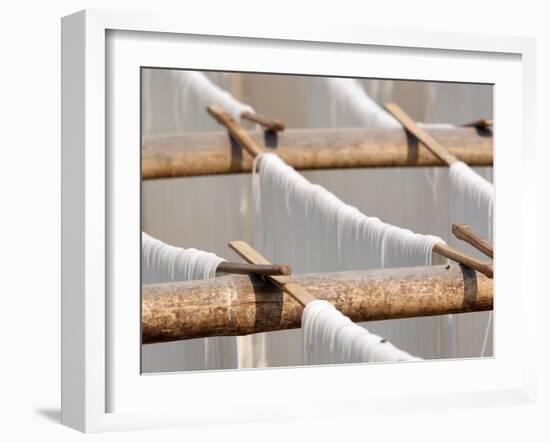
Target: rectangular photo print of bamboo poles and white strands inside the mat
x,y
292,220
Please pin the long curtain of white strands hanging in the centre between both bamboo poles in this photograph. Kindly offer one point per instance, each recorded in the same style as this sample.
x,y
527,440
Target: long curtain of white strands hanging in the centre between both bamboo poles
x,y
308,224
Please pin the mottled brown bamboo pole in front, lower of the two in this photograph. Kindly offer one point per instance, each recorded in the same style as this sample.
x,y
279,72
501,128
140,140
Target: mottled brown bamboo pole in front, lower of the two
x,y
239,305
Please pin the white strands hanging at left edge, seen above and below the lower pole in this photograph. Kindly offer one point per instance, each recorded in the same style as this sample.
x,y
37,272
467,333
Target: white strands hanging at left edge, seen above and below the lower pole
x,y
162,262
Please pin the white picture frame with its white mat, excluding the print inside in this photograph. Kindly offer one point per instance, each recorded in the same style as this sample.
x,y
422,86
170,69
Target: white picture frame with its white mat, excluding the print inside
x,y
101,388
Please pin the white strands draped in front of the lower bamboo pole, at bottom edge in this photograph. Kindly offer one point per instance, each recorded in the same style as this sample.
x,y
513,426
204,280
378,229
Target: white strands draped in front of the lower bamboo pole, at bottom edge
x,y
329,337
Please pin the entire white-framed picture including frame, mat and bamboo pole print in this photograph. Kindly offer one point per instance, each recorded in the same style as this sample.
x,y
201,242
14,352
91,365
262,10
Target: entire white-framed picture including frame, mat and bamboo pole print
x,y
277,222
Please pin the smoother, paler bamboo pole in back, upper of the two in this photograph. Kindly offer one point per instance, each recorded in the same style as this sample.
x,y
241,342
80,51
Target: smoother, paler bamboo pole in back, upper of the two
x,y
212,153
